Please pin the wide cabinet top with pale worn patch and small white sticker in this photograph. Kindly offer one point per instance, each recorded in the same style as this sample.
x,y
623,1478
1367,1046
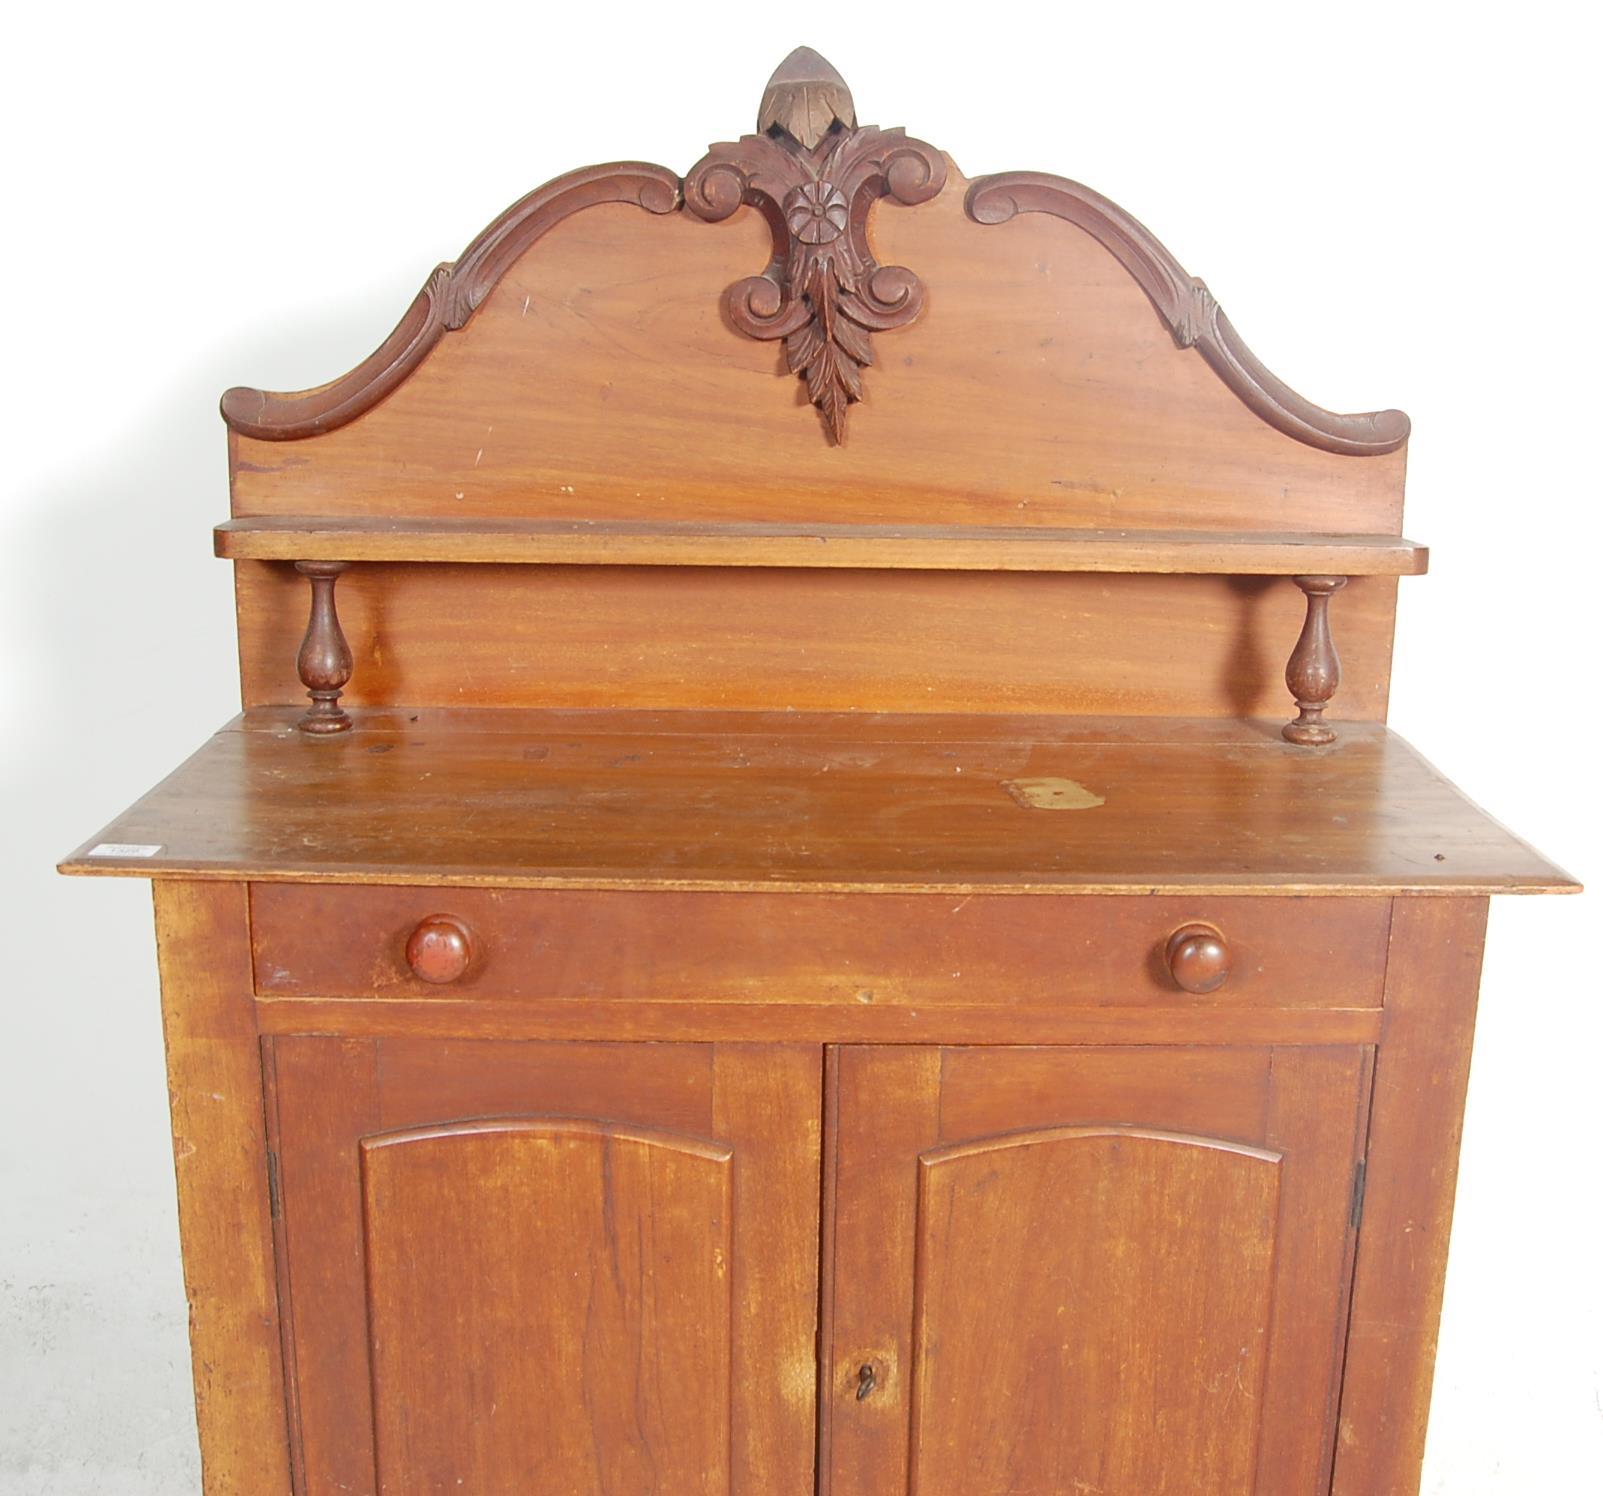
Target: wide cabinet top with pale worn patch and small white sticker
x,y
815,803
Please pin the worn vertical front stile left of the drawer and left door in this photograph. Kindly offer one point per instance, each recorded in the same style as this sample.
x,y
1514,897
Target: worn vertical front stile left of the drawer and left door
x,y
220,1152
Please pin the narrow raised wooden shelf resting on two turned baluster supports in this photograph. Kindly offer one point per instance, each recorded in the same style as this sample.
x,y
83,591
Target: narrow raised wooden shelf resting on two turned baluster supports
x,y
900,548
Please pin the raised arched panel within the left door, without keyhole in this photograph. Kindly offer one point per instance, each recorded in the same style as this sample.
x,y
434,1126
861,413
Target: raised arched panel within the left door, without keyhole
x,y
549,1296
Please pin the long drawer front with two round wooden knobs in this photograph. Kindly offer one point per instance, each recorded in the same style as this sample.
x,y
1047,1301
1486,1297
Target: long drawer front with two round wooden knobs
x,y
866,948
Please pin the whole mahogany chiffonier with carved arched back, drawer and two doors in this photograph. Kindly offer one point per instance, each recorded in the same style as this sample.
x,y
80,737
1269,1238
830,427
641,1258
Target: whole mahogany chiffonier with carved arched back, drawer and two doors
x,y
796,945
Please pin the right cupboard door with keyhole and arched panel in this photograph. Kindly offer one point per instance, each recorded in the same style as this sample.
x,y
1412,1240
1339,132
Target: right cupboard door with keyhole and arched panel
x,y
1088,1271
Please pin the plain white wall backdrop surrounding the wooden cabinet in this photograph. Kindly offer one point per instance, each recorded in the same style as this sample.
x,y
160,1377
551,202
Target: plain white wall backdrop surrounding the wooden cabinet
x,y
1395,203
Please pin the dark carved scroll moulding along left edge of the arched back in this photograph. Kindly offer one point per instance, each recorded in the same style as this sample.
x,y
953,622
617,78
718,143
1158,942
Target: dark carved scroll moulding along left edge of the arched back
x,y
446,302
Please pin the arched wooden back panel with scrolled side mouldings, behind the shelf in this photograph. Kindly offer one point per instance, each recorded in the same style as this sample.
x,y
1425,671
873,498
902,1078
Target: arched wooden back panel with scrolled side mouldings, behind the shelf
x,y
584,362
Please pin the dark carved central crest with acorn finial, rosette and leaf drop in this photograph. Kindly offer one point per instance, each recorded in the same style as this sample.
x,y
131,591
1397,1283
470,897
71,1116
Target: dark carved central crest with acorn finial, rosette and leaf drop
x,y
815,174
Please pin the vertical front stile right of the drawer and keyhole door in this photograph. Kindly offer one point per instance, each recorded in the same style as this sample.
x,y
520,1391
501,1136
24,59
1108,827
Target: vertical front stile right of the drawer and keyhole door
x,y
1416,1122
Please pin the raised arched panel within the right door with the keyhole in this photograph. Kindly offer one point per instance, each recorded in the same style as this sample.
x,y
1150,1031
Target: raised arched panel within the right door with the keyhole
x,y
1134,1276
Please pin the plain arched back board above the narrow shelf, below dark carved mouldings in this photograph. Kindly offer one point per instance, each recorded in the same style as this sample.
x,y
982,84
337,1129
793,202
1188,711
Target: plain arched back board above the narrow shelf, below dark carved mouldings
x,y
600,379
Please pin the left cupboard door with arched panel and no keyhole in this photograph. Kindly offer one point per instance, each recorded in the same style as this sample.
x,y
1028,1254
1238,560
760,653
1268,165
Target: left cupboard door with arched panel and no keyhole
x,y
549,1269
